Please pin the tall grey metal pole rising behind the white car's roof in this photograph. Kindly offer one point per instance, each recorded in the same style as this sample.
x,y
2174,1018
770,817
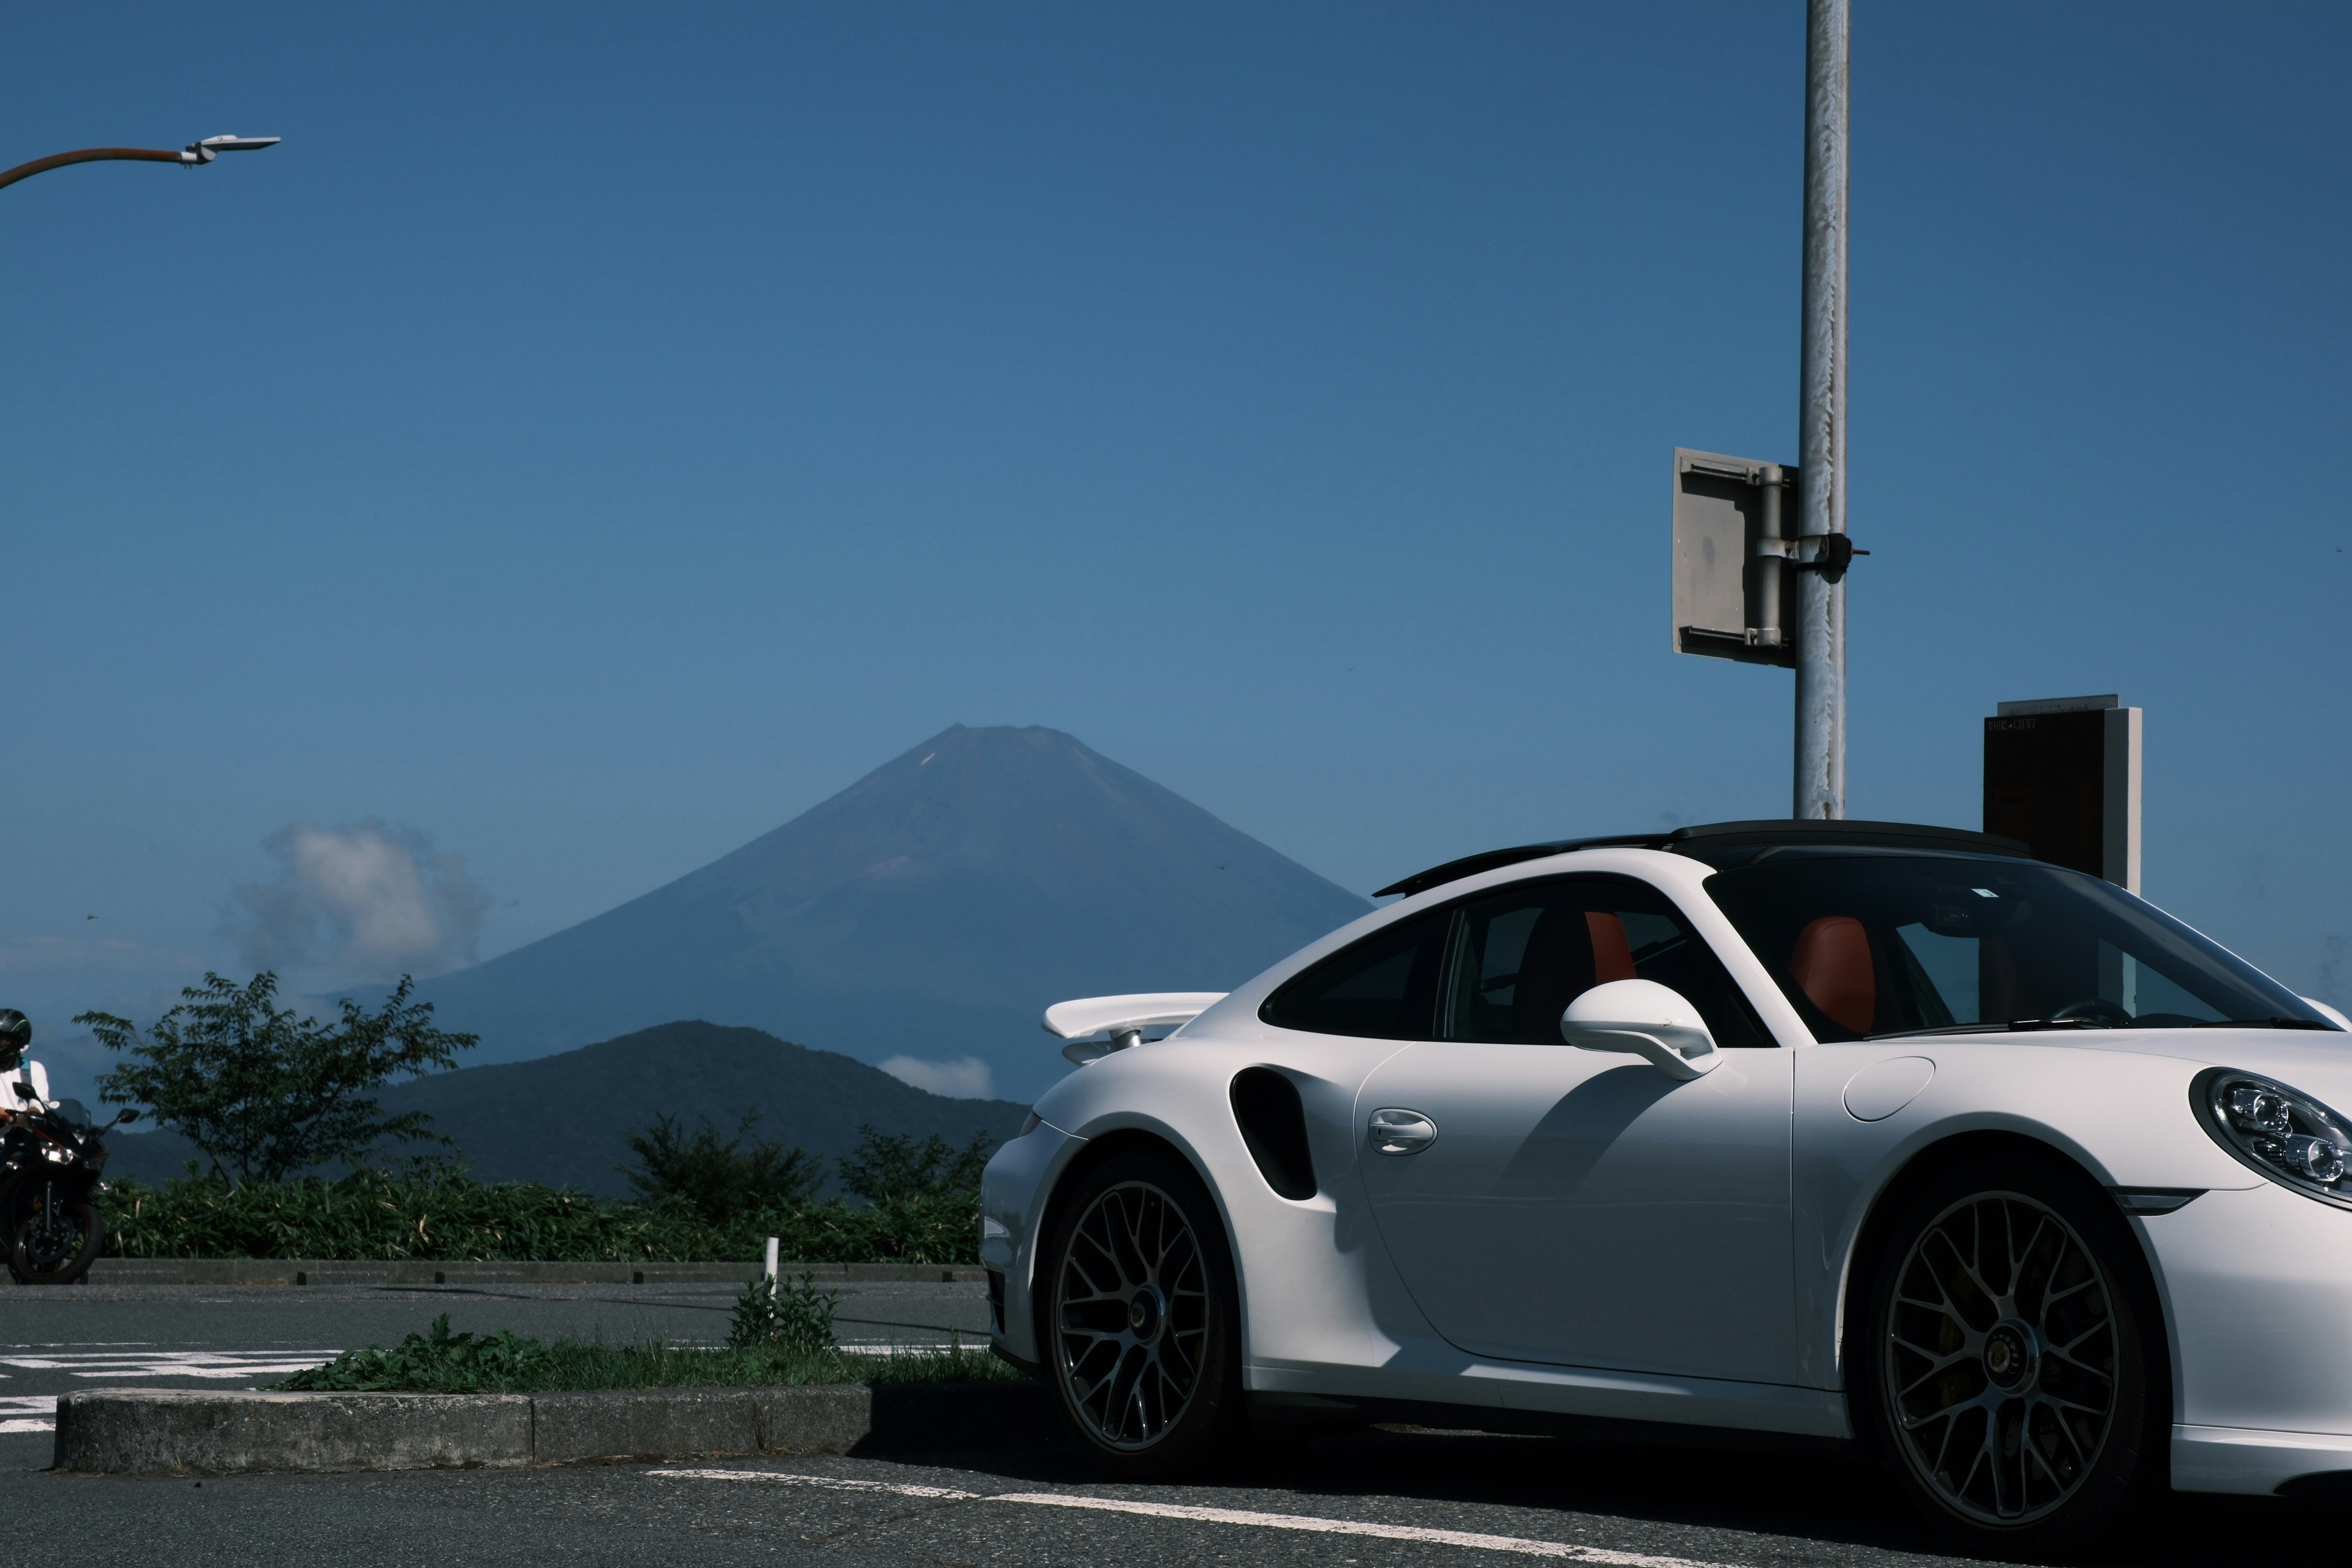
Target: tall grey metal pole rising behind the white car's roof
x,y
1822,434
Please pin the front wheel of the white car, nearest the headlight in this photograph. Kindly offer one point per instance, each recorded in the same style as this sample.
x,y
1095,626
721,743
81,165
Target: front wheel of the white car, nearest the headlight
x,y
2010,1365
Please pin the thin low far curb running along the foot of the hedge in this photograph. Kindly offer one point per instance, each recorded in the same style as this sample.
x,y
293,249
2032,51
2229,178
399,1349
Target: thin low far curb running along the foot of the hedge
x,y
462,1273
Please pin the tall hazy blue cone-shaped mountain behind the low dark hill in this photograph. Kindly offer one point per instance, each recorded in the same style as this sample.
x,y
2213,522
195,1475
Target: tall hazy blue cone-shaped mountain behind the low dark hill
x,y
935,911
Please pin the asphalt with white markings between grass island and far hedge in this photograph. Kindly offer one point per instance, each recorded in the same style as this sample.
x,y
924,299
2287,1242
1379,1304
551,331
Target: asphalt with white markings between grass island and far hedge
x,y
246,1336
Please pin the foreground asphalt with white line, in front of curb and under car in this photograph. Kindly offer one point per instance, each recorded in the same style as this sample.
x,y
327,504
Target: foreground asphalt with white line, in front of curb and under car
x,y
1363,1501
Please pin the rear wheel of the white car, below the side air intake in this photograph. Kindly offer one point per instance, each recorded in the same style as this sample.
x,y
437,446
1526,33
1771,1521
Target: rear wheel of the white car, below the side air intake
x,y
1140,1318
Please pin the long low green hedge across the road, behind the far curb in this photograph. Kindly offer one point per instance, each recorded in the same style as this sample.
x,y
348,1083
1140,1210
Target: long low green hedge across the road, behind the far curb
x,y
373,1217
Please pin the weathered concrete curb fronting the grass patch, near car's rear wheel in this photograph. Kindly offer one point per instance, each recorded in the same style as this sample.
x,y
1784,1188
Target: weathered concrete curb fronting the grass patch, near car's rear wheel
x,y
218,1433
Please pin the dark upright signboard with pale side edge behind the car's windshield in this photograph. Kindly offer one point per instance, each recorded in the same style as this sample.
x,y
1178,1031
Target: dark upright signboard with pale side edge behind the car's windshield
x,y
2064,775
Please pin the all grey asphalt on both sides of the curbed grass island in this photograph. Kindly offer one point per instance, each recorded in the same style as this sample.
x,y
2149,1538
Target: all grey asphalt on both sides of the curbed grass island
x,y
1368,1499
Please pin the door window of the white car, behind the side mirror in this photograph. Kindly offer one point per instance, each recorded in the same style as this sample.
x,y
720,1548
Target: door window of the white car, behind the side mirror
x,y
1532,949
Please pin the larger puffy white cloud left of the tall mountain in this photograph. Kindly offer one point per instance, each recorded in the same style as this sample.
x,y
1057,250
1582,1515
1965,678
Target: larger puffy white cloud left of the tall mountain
x,y
366,902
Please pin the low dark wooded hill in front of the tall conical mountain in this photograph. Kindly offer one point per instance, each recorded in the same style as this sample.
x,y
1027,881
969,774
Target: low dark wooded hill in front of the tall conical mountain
x,y
559,1120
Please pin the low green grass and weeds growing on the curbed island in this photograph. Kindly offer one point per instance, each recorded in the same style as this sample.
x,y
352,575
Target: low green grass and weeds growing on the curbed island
x,y
509,1365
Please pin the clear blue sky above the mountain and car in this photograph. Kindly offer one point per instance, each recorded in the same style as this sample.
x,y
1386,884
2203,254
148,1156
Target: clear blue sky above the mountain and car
x,y
601,434
